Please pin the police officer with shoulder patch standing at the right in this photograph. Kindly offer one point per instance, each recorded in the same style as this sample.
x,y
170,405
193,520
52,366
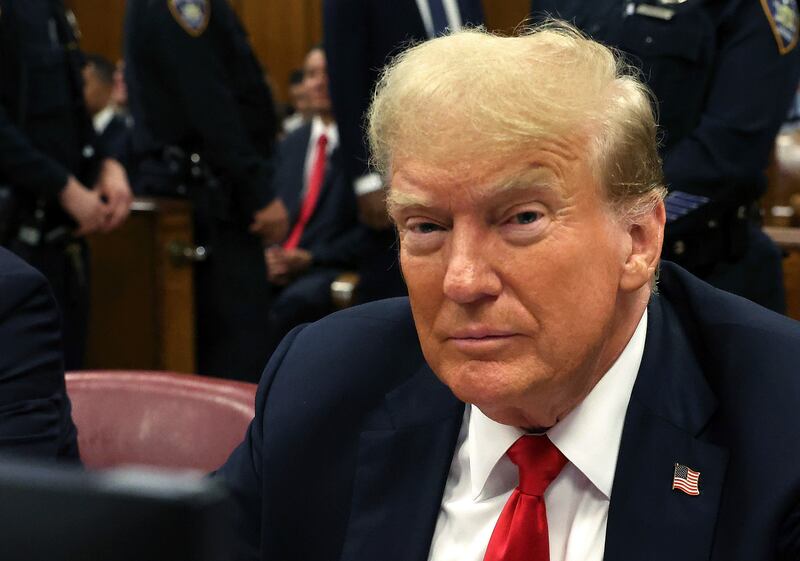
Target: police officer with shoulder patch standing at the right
x,y
723,73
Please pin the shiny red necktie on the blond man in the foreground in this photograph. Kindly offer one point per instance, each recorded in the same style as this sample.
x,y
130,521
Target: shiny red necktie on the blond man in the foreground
x,y
521,531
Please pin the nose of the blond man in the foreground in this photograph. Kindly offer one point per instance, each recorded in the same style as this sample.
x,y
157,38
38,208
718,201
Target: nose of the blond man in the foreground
x,y
470,274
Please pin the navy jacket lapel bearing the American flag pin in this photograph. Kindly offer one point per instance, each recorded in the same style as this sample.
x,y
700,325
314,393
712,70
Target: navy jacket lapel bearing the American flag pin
x,y
670,406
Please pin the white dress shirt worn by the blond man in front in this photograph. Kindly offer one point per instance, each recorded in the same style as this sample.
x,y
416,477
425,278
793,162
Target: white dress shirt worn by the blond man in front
x,y
482,477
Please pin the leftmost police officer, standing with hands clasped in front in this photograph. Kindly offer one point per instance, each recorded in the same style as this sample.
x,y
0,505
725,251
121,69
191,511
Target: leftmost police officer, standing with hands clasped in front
x,y
56,185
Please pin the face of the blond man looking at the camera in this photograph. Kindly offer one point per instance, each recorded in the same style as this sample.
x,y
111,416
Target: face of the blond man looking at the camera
x,y
513,270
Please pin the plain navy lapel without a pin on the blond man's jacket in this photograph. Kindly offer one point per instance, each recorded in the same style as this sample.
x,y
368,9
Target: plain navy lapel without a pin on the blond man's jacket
x,y
403,462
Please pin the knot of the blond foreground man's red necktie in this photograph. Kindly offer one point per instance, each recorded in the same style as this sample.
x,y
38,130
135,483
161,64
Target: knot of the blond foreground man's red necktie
x,y
539,463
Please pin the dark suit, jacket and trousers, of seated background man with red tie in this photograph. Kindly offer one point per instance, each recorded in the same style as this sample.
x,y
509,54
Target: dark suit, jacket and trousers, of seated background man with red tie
x,y
333,235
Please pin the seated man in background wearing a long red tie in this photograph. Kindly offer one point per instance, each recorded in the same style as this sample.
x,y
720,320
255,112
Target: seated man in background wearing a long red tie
x,y
325,238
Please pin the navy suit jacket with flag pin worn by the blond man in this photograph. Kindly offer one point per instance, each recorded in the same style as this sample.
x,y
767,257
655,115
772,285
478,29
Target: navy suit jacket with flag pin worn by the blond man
x,y
351,446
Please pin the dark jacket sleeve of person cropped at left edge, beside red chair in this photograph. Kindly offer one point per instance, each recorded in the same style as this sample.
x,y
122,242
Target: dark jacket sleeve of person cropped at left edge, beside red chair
x,y
35,419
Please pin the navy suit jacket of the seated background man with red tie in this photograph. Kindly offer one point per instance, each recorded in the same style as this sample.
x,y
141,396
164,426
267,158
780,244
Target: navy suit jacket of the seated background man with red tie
x,y
333,235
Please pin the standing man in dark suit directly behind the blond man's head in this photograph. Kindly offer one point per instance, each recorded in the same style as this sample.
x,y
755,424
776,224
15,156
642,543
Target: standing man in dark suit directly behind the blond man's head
x,y
360,38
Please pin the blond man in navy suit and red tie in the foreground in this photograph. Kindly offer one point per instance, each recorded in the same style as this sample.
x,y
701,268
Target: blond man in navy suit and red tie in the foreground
x,y
543,393
